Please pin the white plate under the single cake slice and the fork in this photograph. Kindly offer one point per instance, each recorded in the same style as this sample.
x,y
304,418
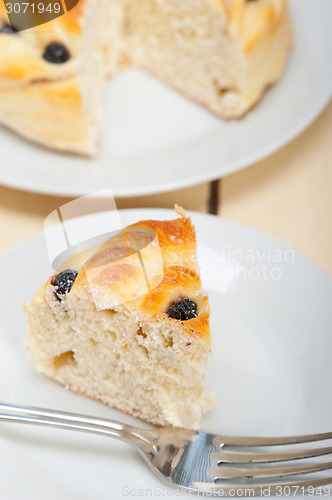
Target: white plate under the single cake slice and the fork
x,y
271,369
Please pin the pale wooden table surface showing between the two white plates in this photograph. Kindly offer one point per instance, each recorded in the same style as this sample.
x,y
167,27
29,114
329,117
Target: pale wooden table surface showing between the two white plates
x,y
288,195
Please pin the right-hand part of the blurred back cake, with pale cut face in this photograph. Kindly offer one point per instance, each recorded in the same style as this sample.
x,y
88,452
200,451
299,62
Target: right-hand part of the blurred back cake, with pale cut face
x,y
223,57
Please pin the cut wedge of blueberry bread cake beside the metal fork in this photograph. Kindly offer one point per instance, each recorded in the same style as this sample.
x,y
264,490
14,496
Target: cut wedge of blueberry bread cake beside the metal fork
x,y
127,323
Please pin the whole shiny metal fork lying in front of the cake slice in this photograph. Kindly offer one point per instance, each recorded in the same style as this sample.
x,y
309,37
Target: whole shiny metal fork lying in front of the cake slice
x,y
201,462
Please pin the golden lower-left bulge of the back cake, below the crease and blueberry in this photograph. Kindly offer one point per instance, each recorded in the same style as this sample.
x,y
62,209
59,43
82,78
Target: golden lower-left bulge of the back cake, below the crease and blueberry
x,y
24,110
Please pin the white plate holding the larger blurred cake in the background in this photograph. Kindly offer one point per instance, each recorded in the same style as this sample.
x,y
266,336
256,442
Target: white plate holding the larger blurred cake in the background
x,y
155,140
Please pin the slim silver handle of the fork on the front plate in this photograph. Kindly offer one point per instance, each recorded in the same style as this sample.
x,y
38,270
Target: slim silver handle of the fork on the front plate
x,y
40,416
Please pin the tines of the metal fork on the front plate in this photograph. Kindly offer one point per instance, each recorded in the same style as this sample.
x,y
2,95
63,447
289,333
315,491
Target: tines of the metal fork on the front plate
x,y
255,460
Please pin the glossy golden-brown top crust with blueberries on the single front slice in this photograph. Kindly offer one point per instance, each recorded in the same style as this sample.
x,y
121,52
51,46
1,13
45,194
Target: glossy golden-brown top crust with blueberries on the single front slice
x,y
150,268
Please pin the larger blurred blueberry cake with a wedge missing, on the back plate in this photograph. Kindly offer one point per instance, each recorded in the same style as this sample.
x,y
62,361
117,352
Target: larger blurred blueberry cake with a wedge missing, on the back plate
x,y
220,53
